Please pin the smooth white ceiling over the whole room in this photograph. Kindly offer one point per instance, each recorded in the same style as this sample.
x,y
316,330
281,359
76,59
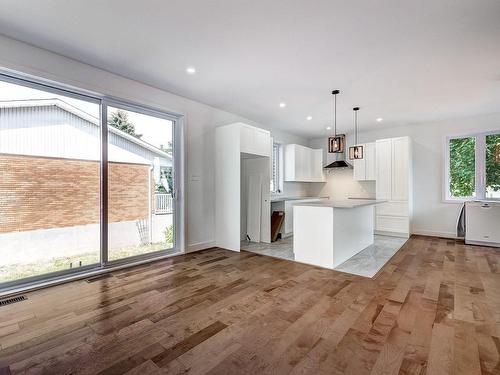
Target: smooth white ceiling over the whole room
x,y
405,61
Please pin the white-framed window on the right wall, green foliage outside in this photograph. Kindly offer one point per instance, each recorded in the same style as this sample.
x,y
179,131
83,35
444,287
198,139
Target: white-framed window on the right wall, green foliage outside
x,y
472,167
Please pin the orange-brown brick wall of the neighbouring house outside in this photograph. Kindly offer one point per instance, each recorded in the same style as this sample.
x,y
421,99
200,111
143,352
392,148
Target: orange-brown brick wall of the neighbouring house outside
x,y
42,193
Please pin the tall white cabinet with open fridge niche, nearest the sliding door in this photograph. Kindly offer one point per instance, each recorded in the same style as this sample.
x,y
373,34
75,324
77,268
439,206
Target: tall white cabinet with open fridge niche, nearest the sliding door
x,y
242,178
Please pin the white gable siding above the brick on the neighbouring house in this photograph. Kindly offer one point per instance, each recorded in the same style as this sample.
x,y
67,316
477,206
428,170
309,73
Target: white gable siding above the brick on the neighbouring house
x,y
54,132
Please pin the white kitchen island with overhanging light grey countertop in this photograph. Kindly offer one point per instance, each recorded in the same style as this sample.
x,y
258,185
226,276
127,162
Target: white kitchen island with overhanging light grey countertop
x,y
329,232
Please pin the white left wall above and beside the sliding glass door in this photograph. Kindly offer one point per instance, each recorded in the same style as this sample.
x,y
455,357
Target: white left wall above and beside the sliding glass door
x,y
199,119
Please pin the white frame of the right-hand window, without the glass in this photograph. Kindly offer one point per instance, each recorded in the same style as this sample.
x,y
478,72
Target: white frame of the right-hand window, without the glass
x,y
480,167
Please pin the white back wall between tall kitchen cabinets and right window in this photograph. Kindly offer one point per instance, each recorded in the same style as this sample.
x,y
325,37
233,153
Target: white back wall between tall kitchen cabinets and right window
x,y
431,216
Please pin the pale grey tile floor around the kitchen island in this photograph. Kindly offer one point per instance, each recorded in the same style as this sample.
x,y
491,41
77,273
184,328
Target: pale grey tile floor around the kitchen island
x,y
366,263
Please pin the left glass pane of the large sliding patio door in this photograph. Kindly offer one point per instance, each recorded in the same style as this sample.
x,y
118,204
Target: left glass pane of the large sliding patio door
x,y
49,182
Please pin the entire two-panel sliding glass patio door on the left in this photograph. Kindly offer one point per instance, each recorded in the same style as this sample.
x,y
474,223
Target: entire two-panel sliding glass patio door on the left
x,y
85,182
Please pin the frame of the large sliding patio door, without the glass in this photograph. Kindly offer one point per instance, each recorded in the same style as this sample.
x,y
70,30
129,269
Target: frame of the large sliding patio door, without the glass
x,y
105,101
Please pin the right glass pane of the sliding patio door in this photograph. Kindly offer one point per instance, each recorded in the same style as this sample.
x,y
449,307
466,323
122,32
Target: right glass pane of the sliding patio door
x,y
140,183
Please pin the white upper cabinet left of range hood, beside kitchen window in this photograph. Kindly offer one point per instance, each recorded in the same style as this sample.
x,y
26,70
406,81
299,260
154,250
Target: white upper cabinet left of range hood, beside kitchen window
x,y
303,164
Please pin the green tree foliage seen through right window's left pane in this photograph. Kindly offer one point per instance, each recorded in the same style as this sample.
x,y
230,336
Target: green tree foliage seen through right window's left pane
x,y
462,167
